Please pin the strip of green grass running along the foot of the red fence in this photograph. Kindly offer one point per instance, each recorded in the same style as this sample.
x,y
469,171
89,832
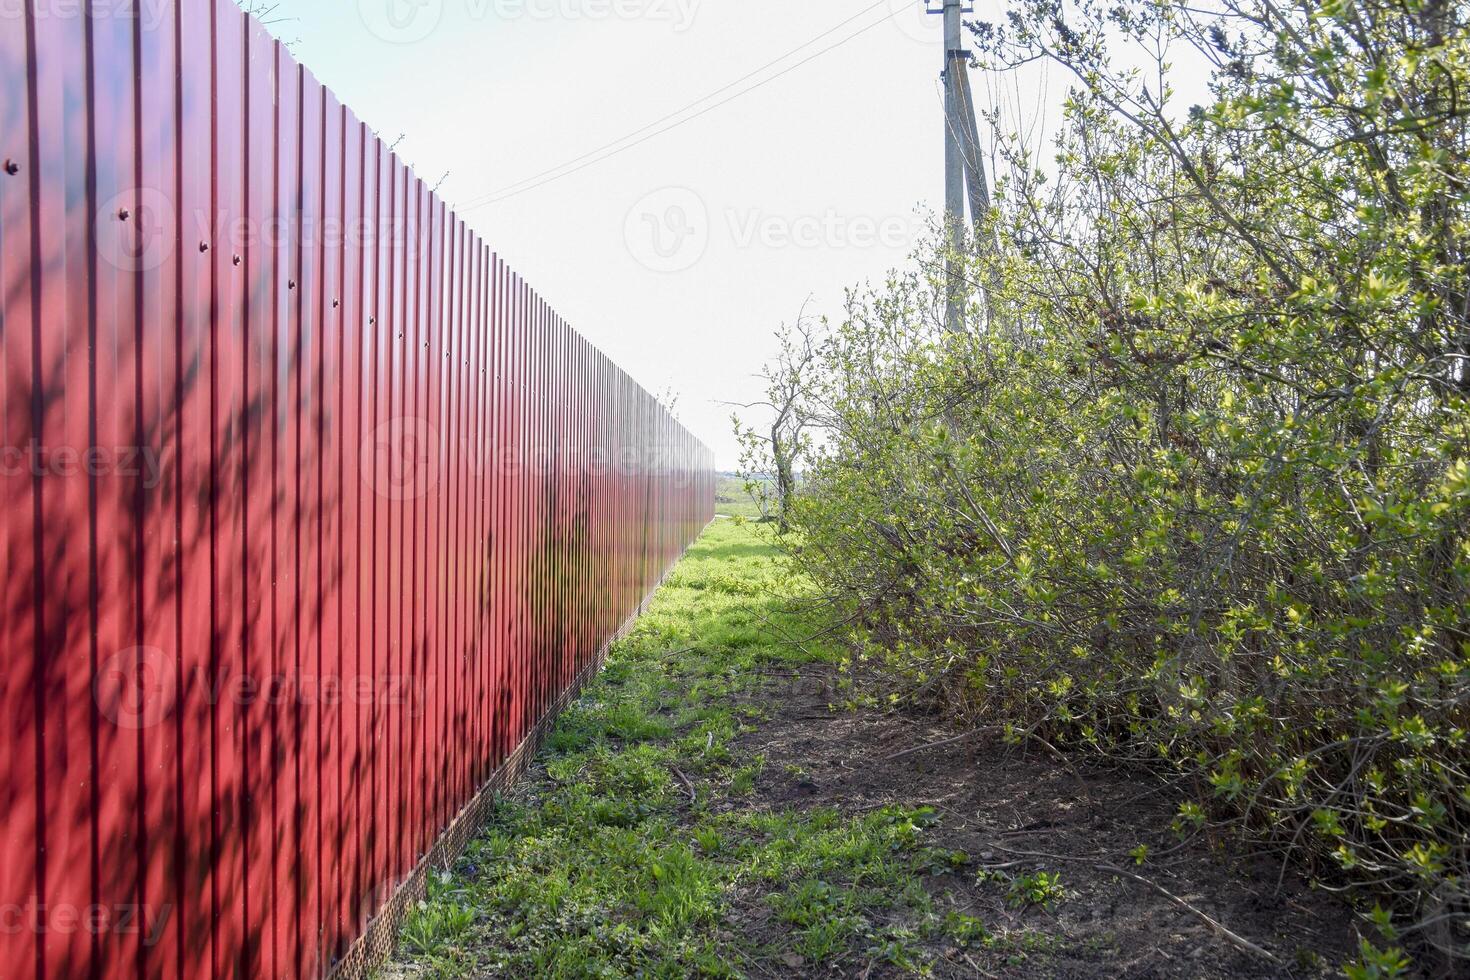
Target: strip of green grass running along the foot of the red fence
x,y
600,865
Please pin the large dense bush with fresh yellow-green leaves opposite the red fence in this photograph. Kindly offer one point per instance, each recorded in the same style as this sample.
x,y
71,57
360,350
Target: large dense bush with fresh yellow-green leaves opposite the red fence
x,y
1191,490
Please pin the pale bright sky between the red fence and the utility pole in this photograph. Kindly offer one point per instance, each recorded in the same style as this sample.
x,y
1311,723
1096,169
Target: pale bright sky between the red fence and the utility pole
x,y
678,256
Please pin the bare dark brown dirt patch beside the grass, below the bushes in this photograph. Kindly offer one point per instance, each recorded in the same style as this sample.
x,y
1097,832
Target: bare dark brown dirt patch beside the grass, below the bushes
x,y
1015,813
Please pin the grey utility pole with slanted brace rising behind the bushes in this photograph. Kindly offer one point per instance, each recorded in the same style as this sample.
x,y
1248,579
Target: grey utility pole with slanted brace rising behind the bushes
x,y
964,168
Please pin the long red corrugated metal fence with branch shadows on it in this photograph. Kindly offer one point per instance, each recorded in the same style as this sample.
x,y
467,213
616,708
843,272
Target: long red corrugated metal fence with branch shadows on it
x,y
312,509
